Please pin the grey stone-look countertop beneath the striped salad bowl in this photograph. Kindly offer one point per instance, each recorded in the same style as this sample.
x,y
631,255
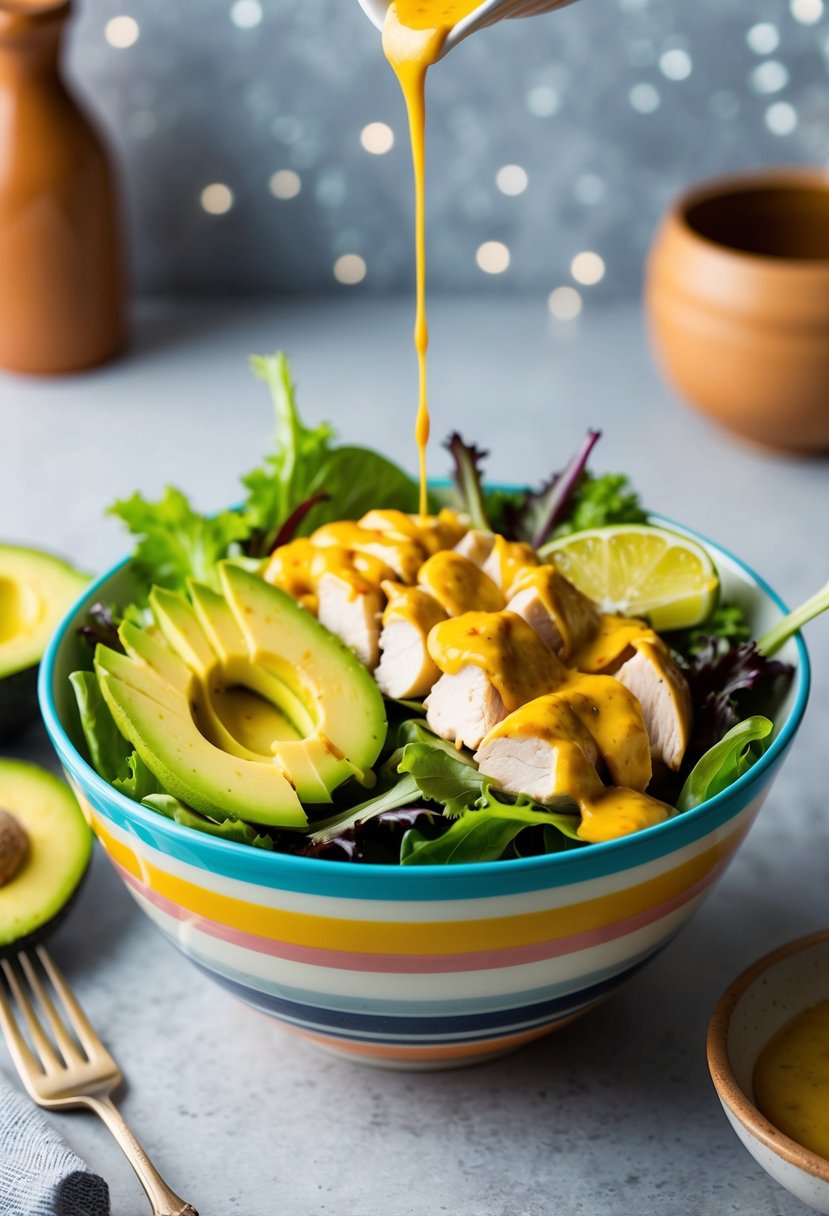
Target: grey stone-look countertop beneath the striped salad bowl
x,y
612,1116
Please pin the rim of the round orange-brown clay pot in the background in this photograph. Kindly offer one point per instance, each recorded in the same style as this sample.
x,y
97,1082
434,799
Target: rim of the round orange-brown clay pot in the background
x,y
779,178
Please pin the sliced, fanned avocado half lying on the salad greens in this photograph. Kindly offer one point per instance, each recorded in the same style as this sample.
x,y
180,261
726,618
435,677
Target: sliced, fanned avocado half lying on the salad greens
x,y
241,705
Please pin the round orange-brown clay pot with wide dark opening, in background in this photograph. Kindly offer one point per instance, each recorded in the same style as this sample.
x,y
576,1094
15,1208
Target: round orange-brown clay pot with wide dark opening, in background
x,y
737,296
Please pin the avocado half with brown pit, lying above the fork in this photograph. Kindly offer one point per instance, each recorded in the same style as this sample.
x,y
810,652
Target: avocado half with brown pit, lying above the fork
x,y
46,846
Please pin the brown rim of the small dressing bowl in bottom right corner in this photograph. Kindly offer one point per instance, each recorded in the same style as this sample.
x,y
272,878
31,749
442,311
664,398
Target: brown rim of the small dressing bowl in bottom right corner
x,y
730,1091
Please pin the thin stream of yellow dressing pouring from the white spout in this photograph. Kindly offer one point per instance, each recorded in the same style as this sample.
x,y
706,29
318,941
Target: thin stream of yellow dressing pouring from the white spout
x,y
414,36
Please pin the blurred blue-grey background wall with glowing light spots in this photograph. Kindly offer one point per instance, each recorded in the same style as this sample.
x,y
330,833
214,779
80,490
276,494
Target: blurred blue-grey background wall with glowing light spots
x,y
610,106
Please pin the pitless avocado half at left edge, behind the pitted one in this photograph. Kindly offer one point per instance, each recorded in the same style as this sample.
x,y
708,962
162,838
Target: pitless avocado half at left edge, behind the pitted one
x,y
37,590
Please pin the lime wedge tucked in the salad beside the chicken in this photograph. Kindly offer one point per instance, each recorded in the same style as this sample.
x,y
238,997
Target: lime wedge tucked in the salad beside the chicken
x,y
639,571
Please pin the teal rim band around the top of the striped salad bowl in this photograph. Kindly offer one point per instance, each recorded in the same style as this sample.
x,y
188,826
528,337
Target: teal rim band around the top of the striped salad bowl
x,y
565,866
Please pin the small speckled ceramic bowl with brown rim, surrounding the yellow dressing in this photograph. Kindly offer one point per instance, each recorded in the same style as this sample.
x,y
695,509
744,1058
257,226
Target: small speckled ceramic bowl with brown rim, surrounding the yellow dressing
x,y
752,1011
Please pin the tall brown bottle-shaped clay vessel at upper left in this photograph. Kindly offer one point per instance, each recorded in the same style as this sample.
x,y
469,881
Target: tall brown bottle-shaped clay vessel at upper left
x,y
63,285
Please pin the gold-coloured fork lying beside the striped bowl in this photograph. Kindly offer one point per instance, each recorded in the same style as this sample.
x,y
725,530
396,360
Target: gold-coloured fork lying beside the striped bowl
x,y
80,1073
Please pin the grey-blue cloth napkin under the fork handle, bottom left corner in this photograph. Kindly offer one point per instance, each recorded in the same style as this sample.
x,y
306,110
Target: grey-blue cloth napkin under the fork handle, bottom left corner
x,y
40,1174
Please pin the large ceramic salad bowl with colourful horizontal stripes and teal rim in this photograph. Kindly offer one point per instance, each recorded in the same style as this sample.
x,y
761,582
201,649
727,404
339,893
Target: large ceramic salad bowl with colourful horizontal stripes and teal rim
x,y
422,967
